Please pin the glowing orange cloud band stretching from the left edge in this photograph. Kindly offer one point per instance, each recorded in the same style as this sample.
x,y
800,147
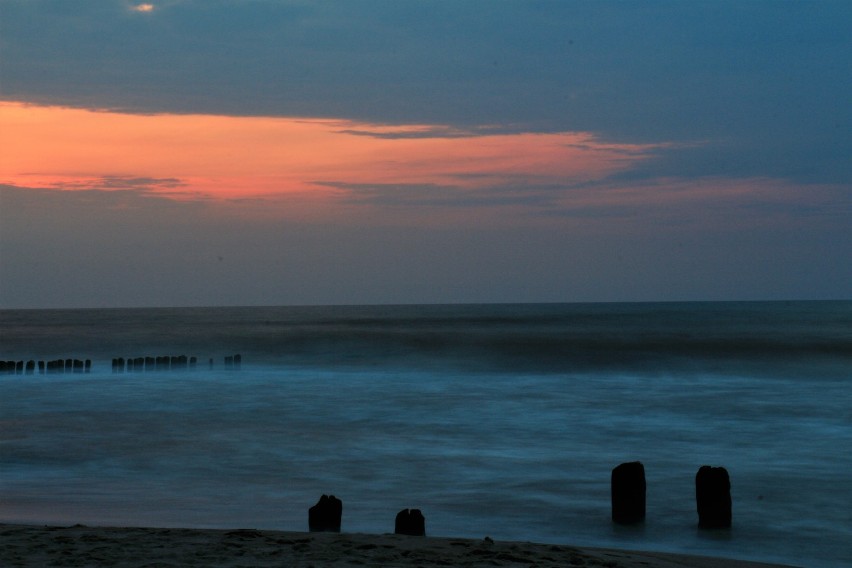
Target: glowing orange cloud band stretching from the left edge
x,y
227,157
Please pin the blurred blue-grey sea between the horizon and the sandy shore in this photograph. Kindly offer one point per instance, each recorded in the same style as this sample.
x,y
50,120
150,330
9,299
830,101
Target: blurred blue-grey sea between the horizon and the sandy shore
x,y
494,420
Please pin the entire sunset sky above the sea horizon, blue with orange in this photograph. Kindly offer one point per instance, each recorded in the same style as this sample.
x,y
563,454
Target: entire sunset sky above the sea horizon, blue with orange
x,y
293,152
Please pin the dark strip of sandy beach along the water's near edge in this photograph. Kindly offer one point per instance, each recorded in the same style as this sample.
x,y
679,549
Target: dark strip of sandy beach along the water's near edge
x,y
30,545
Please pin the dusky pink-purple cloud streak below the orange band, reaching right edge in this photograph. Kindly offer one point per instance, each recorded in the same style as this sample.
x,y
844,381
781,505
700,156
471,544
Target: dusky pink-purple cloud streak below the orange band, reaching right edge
x,y
710,205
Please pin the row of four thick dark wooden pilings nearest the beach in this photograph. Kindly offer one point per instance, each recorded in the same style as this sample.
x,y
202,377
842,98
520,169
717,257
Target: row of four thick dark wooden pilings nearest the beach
x,y
712,494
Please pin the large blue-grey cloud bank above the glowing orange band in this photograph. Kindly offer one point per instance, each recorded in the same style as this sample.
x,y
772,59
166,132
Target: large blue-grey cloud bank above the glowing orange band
x,y
765,87
